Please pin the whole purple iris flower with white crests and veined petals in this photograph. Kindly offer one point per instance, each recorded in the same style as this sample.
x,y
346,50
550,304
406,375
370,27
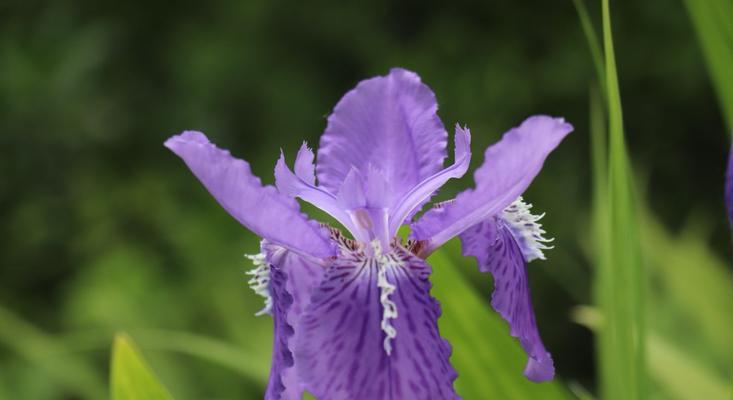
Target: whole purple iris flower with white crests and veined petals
x,y
353,317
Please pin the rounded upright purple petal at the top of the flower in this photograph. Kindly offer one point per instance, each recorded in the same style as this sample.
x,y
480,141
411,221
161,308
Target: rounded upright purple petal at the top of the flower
x,y
389,122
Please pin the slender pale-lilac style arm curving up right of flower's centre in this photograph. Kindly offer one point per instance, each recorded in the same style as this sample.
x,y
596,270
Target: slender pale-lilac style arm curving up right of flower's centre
x,y
416,197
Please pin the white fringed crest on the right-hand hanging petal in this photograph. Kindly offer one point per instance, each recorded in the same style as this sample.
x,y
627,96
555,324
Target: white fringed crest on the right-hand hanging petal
x,y
526,229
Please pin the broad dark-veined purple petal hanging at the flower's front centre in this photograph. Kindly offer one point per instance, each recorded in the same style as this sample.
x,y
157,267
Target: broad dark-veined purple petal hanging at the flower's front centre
x,y
340,351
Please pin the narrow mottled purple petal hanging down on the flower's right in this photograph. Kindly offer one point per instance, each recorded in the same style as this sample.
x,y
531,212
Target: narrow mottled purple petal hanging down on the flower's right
x,y
498,252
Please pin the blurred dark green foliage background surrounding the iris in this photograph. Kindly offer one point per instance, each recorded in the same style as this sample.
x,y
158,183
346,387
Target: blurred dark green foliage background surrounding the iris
x,y
103,229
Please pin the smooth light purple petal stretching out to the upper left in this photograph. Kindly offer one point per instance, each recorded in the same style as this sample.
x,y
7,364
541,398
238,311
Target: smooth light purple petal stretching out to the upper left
x,y
262,209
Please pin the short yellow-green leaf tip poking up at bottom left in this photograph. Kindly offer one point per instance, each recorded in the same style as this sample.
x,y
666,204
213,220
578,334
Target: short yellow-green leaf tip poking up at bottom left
x,y
131,378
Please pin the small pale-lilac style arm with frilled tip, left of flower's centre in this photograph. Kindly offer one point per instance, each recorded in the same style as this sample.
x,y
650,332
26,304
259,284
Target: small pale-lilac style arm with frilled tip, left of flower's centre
x,y
297,185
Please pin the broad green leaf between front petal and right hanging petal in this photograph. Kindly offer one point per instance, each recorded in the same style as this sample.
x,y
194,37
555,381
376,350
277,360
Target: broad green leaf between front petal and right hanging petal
x,y
489,361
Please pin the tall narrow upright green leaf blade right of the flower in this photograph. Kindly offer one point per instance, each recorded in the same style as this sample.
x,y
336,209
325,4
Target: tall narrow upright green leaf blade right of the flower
x,y
620,275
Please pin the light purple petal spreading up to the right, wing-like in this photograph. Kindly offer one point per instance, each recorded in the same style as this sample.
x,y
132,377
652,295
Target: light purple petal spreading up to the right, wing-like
x,y
509,167
